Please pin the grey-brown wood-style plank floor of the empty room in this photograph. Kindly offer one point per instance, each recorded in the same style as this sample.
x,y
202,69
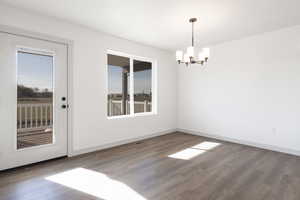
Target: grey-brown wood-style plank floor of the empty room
x,y
143,171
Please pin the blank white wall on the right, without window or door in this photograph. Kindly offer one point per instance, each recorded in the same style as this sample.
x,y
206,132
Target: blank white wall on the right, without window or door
x,y
250,91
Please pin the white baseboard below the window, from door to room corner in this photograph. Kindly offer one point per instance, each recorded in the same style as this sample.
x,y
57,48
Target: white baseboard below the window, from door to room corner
x,y
114,144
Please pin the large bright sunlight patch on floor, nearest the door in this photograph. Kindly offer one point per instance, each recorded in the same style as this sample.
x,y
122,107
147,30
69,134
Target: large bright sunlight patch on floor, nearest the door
x,y
95,184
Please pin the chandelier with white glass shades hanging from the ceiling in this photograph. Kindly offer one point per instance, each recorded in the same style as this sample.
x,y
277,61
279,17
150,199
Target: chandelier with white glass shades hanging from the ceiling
x,y
189,57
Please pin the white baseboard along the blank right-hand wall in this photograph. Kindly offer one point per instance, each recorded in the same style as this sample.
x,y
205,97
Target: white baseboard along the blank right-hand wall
x,y
243,142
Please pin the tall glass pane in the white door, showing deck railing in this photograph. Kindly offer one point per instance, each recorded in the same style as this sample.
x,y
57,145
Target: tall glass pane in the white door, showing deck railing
x,y
34,99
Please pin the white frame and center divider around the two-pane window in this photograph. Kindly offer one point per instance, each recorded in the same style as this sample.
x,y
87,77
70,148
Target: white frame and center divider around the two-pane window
x,y
131,79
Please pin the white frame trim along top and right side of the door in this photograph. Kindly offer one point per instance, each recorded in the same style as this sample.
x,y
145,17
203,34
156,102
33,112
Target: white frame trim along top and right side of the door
x,y
69,44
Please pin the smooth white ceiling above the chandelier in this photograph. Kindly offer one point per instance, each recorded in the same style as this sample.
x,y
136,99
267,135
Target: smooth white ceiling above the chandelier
x,y
164,23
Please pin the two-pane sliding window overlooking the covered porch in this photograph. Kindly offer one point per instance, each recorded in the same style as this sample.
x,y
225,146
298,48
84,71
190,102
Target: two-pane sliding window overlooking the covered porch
x,y
130,85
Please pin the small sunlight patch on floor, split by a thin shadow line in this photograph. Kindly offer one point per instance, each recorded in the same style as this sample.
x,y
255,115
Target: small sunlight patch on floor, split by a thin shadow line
x,y
194,151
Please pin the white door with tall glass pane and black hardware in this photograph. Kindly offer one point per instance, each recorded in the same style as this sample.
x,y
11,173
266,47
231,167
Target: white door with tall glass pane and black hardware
x,y
33,100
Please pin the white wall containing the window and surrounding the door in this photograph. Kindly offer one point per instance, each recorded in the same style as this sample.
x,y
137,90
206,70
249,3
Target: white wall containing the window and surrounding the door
x,y
91,128
